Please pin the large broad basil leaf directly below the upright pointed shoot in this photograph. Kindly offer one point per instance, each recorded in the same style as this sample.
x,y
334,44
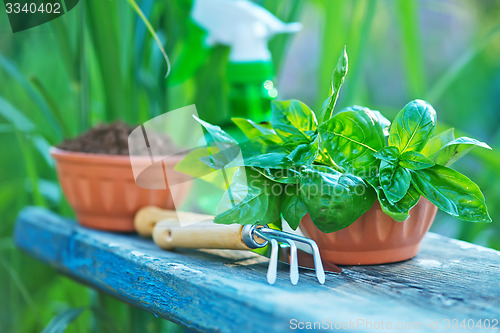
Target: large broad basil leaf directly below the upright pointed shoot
x,y
351,139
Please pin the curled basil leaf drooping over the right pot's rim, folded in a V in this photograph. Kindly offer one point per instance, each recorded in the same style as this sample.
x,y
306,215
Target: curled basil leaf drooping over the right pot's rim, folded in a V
x,y
399,211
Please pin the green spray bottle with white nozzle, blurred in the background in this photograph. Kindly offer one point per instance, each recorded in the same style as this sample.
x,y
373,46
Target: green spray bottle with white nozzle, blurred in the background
x,y
246,28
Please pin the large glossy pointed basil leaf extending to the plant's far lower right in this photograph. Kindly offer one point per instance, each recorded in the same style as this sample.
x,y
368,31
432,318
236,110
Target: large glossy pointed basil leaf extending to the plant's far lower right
x,y
452,192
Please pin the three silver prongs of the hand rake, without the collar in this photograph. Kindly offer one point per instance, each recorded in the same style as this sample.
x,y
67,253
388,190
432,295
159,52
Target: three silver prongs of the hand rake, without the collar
x,y
271,234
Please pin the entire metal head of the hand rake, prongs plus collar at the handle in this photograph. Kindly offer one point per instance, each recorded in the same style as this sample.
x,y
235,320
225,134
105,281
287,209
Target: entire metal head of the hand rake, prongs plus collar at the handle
x,y
280,238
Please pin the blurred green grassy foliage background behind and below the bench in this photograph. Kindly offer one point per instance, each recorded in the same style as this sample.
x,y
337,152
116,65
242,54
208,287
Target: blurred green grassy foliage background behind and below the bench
x,y
99,63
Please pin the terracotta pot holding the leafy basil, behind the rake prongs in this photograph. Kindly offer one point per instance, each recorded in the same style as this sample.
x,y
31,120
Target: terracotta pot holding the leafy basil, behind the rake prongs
x,y
374,238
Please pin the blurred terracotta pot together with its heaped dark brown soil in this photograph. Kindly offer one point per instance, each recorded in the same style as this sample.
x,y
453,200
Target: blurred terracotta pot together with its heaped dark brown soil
x,y
96,177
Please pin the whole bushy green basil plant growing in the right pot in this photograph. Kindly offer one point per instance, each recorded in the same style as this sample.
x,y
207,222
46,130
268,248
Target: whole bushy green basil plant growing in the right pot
x,y
334,165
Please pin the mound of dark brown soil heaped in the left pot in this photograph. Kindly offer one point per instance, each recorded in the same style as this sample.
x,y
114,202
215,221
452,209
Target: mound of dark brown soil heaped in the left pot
x,y
111,139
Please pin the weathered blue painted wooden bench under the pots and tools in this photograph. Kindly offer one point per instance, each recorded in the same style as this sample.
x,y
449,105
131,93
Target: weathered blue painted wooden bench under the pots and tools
x,y
448,284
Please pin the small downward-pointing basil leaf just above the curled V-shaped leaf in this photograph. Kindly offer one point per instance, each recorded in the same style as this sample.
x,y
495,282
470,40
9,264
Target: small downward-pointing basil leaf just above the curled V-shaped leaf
x,y
394,180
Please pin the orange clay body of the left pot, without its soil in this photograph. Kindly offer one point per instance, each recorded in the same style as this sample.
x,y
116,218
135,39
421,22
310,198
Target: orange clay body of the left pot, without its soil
x,y
102,191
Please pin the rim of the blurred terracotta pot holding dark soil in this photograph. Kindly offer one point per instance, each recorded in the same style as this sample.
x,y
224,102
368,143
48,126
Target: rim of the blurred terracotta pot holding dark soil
x,y
76,156
